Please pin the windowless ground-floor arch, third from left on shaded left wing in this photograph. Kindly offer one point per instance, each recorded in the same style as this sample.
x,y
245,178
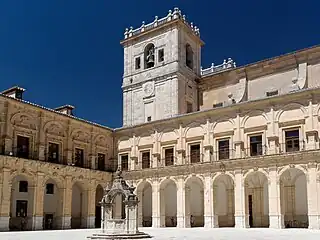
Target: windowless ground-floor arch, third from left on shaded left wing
x,y
78,207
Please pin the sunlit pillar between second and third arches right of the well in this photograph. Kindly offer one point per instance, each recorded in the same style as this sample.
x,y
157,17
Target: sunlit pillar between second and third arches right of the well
x,y
181,221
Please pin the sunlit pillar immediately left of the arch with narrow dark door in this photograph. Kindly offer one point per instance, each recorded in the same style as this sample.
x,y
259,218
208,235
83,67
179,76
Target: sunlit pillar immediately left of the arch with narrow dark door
x,y
241,219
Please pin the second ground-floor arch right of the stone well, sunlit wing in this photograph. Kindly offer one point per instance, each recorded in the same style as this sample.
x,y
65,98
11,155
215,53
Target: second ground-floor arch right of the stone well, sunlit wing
x,y
168,203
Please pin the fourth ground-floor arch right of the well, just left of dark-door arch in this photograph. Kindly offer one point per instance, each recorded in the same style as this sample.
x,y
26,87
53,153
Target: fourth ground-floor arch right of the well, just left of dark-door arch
x,y
223,200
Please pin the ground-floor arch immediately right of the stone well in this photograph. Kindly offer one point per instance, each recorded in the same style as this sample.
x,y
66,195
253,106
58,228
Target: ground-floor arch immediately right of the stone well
x,y
144,193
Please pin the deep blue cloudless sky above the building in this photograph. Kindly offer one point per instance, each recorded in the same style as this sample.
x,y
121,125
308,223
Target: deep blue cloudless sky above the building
x,y
68,51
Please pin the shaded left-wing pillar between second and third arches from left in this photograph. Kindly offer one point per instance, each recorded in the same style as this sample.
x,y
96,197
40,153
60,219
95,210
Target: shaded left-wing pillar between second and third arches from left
x,y
67,202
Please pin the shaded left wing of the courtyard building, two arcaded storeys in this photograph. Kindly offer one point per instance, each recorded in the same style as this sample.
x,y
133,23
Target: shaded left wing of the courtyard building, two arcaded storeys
x,y
44,182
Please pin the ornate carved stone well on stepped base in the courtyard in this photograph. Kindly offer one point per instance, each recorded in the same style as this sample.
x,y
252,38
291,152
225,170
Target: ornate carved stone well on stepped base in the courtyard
x,y
126,228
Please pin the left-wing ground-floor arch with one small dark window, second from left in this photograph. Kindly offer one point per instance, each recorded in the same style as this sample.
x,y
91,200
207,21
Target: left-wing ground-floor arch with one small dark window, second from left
x,y
52,205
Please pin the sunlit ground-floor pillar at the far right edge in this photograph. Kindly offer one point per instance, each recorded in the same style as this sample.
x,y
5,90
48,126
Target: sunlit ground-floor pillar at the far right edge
x,y
312,192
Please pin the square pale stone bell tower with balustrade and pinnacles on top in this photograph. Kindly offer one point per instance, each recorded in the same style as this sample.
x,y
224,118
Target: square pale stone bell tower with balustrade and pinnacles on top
x,y
161,68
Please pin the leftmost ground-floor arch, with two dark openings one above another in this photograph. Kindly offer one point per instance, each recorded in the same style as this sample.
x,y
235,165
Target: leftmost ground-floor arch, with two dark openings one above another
x,y
21,205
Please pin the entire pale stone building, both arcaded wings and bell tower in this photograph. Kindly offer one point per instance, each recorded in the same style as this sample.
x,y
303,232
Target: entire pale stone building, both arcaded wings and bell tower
x,y
224,146
